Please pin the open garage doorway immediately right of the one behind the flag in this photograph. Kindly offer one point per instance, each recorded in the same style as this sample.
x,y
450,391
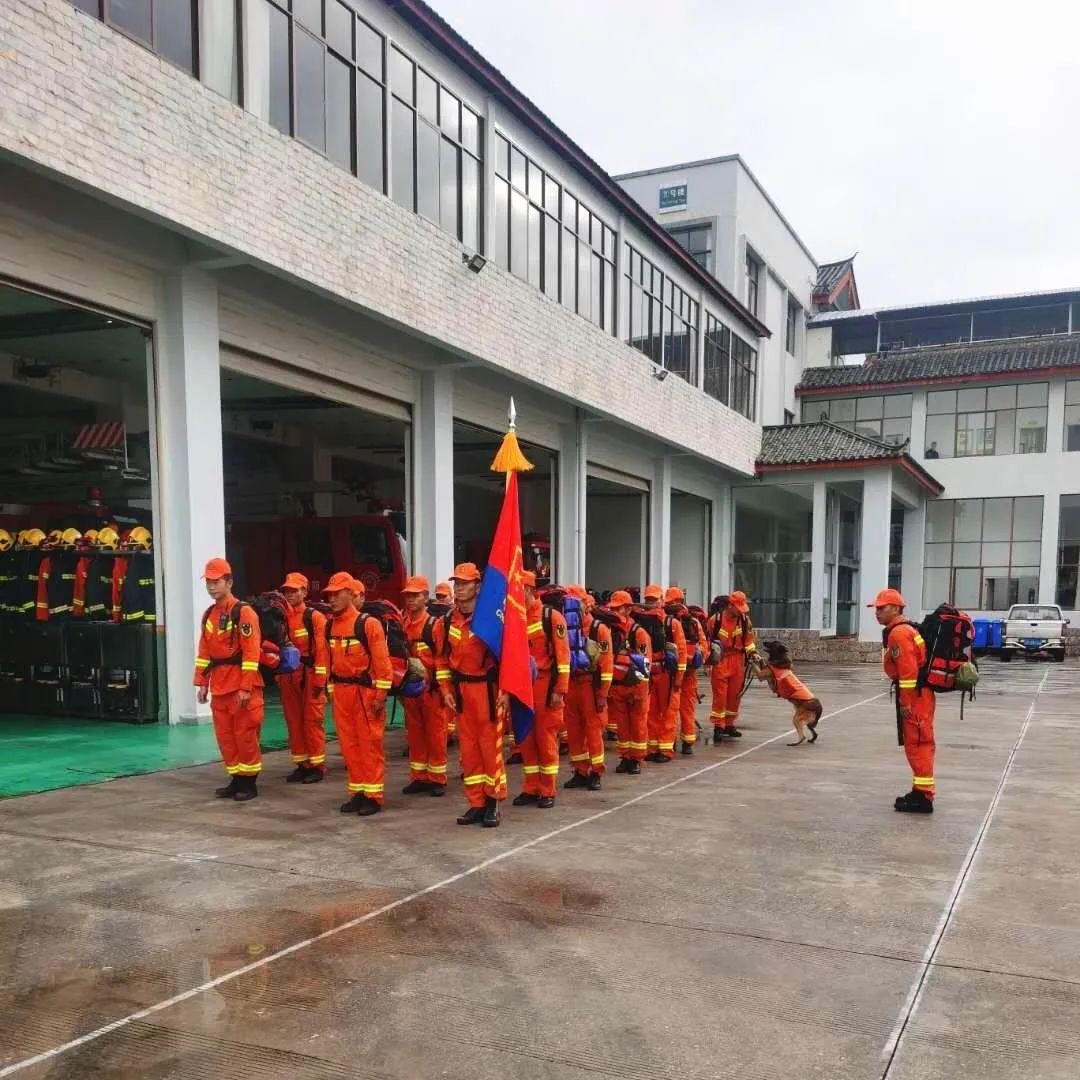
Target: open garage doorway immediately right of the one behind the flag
x,y
617,530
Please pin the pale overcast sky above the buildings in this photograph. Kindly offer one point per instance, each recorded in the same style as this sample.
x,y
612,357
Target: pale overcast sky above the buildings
x,y
939,139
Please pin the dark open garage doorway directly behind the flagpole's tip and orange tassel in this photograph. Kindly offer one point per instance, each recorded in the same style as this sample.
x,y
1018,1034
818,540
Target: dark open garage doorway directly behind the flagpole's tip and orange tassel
x,y
478,498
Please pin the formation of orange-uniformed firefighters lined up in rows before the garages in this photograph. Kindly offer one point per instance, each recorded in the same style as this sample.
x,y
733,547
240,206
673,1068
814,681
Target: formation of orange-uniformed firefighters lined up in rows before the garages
x,y
639,686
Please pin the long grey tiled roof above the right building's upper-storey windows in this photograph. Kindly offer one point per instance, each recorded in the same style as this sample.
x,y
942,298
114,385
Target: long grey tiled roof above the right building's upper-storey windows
x,y
943,363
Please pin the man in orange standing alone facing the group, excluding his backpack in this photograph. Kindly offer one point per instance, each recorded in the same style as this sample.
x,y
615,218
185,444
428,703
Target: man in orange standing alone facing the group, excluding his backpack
x,y
904,657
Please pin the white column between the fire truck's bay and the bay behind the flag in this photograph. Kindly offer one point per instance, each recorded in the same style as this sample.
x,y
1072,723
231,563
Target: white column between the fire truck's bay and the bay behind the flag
x,y
434,476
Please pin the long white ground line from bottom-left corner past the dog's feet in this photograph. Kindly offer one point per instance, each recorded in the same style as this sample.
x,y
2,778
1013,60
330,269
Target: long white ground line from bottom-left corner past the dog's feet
x,y
394,906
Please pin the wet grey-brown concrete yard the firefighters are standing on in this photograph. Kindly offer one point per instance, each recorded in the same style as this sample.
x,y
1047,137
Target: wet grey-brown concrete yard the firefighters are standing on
x,y
751,912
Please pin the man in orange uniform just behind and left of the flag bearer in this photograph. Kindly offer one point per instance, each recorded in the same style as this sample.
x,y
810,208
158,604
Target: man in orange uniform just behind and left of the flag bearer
x,y
425,715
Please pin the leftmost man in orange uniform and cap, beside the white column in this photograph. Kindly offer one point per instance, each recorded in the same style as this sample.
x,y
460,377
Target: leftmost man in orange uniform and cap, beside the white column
x,y
227,672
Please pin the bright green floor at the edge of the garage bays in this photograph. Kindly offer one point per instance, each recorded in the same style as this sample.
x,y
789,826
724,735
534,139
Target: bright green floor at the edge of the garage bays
x,y
42,753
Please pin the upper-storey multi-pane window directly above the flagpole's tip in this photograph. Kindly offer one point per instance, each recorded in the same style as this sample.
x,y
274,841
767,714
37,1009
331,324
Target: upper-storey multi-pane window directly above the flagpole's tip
x,y
550,239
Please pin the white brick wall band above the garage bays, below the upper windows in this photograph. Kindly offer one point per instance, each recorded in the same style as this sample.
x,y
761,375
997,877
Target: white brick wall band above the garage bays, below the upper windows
x,y
82,101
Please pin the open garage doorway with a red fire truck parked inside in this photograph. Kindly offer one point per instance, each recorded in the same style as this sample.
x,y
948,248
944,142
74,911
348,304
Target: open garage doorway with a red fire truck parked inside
x,y
313,482
